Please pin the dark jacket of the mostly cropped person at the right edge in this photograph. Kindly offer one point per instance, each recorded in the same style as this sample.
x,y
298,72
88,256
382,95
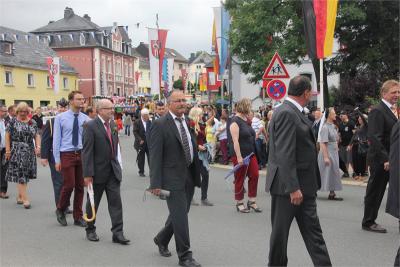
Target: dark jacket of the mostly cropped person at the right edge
x,y
393,201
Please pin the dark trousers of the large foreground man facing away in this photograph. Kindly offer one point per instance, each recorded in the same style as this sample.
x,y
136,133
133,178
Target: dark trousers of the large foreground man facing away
x,y
282,215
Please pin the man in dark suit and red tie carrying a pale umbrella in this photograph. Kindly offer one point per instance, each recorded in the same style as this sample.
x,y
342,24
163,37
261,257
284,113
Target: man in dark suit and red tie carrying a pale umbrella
x,y
102,169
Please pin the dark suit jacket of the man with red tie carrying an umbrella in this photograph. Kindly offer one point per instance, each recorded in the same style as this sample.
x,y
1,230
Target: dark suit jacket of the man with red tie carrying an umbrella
x,y
98,159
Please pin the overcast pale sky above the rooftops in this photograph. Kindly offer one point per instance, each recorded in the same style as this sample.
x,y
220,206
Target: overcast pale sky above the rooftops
x,y
189,21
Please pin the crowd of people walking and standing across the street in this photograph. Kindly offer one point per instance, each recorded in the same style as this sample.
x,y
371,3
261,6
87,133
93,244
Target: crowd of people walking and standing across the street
x,y
304,151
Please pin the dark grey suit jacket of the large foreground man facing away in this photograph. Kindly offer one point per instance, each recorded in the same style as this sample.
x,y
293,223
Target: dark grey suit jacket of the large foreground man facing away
x,y
292,162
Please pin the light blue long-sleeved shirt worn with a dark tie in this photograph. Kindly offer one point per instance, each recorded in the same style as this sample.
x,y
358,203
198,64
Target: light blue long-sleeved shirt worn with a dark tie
x,y
62,134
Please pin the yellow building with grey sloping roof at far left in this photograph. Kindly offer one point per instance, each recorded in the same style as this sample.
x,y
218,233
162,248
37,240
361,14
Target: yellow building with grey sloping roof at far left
x,y
24,73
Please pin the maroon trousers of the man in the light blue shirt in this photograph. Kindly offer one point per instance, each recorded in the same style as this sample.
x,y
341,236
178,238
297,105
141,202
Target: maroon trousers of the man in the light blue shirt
x,y
71,170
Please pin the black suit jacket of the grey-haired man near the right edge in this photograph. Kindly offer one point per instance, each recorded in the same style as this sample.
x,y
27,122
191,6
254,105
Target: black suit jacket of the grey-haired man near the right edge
x,y
380,123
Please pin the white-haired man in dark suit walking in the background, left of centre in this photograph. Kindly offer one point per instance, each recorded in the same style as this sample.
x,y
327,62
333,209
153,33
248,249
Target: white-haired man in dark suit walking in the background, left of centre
x,y
140,130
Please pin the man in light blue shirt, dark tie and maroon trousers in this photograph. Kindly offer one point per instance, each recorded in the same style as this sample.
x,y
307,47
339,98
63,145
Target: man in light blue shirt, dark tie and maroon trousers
x,y
67,146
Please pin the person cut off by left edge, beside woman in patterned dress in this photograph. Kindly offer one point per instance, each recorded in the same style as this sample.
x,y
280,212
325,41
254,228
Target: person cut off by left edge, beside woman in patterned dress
x,y
3,162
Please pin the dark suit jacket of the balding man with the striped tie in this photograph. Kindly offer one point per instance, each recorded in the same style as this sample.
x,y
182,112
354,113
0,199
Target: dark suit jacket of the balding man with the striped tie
x,y
168,168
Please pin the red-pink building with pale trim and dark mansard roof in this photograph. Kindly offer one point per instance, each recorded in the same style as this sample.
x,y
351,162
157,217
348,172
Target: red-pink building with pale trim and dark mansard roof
x,y
101,55
